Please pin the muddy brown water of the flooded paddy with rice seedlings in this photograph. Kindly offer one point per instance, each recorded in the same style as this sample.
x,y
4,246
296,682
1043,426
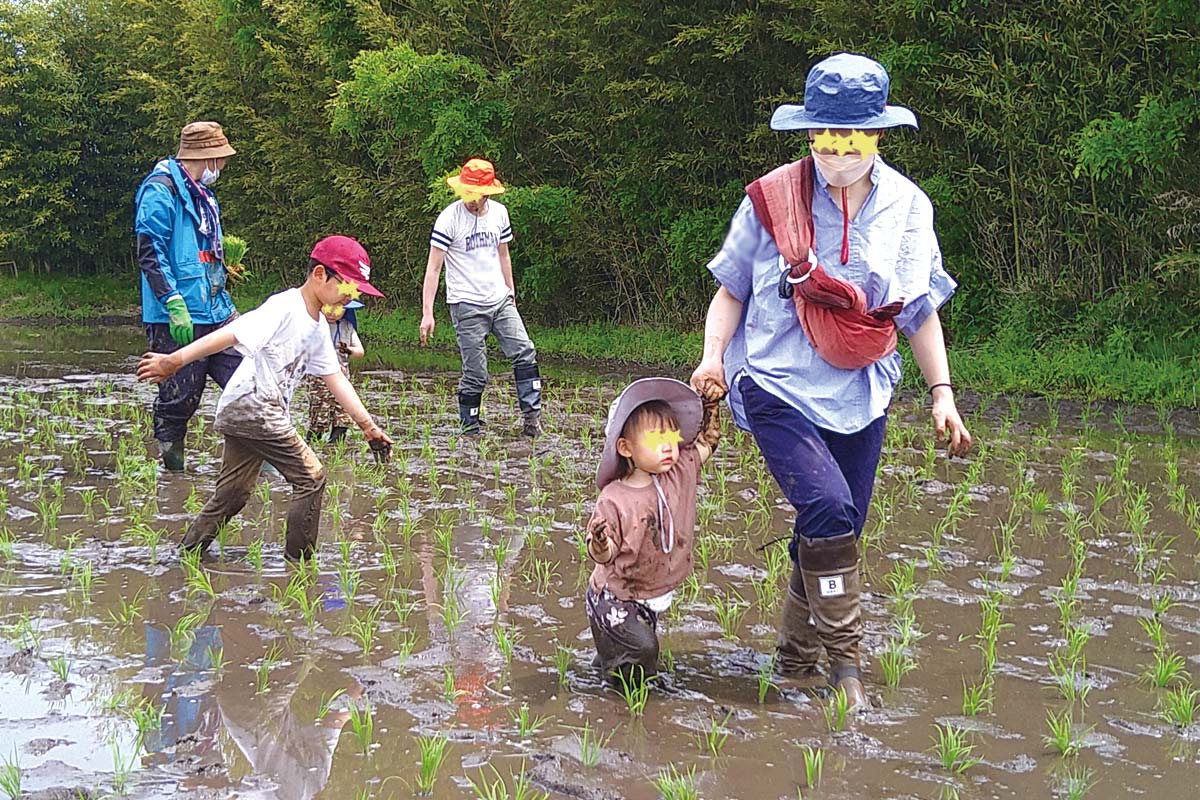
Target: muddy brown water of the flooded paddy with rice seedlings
x,y
449,585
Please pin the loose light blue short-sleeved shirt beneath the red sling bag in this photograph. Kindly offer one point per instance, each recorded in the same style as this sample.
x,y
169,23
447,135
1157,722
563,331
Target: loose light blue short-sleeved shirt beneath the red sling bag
x,y
893,256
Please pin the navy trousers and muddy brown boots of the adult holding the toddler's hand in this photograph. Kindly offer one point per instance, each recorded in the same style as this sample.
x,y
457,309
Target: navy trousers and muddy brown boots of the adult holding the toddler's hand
x,y
829,478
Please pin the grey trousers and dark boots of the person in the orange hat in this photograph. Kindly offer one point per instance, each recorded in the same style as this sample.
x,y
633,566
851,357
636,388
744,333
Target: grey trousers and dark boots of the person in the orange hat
x,y
472,324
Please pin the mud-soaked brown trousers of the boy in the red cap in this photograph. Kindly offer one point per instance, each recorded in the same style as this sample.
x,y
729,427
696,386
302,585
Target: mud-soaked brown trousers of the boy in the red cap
x,y
239,474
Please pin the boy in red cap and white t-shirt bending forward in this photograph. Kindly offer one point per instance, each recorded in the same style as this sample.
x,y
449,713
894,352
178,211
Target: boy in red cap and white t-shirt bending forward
x,y
281,341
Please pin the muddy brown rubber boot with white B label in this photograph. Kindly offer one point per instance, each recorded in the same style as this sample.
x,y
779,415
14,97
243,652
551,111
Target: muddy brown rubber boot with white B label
x,y
830,569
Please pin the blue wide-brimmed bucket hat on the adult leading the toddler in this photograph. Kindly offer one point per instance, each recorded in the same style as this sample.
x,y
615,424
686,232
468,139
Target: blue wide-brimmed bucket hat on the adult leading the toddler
x,y
844,92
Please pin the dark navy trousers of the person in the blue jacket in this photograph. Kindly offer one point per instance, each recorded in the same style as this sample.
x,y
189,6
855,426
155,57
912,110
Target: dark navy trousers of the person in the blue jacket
x,y
179,396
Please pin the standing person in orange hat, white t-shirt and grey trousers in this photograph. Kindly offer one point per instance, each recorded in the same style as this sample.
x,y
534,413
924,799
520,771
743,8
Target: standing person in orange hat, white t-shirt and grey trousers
x,y
472,237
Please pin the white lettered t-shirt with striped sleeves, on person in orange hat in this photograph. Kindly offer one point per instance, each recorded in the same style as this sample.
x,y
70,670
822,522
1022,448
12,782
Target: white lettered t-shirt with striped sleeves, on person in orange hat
x,y
473,252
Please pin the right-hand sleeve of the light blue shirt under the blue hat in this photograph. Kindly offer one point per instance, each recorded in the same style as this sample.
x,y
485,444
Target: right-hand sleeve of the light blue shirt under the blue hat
x,y
923,280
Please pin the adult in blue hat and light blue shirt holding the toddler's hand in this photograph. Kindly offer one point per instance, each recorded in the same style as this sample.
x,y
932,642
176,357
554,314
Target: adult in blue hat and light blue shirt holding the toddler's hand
x,y
821,428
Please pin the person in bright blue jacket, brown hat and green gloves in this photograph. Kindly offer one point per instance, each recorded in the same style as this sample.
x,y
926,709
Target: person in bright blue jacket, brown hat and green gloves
x,y
184,293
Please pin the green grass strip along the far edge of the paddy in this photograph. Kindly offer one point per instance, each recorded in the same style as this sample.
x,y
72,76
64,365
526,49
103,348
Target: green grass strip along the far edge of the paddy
x,y
1067,370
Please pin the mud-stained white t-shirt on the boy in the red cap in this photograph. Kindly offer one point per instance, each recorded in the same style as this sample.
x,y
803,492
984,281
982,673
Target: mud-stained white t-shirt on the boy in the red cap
x,y
280,344
